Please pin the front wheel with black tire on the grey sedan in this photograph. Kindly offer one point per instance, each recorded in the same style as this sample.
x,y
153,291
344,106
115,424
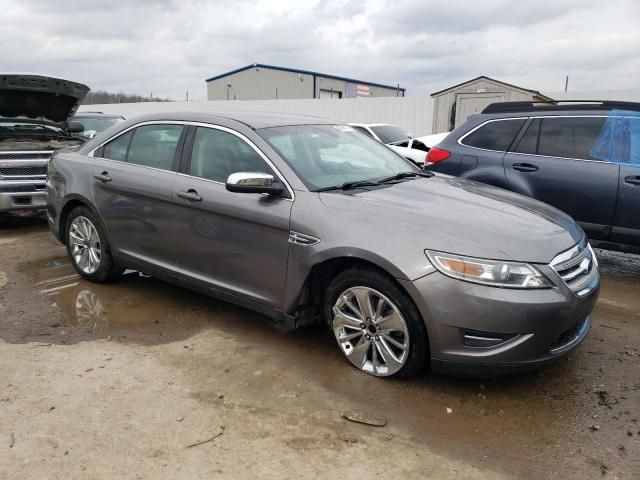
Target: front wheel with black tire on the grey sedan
x,y
376,325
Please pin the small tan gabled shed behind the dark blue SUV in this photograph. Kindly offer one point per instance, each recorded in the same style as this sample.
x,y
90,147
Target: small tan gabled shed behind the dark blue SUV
x,y
453,105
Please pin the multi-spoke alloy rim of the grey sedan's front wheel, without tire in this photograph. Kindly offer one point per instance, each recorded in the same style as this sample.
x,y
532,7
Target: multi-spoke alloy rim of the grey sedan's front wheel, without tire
x,y
371,331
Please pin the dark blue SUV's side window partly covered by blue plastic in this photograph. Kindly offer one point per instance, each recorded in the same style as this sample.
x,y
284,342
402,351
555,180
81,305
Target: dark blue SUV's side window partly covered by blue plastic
x,y
569,137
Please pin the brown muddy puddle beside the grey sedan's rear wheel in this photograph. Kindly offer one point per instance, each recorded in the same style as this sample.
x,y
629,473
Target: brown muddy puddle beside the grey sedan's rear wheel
x,y
136,308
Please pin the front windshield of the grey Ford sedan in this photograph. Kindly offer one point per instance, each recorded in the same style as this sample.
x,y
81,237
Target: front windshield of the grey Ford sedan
x,y
327,156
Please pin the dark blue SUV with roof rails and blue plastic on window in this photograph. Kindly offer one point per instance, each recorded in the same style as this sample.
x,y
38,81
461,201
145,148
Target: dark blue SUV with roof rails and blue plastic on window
x,y
583,158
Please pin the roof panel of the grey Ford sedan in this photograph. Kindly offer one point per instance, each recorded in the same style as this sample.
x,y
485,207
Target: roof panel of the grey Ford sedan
x,y
252,119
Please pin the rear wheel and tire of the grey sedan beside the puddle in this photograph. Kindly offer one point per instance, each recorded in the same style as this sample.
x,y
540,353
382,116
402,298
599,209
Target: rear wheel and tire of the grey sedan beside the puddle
x,y
88,247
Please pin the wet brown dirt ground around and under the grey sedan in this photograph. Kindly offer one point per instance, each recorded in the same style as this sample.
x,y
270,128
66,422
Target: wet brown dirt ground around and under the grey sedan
x,y
119,380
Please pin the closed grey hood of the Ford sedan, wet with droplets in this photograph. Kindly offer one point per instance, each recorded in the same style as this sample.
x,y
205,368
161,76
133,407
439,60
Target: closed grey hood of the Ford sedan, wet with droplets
x,y
460,216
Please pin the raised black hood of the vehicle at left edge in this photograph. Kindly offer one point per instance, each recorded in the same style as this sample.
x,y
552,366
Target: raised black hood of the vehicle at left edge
x,y
53,100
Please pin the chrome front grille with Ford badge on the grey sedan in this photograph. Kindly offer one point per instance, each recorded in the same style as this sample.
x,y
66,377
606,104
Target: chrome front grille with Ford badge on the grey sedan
x,y
578,268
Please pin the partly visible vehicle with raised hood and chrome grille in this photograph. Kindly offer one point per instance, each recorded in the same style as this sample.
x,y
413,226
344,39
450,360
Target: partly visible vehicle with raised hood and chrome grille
x,y
35,114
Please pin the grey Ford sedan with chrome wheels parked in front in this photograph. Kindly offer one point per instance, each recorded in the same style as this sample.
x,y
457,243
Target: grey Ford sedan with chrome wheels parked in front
x,y
308,221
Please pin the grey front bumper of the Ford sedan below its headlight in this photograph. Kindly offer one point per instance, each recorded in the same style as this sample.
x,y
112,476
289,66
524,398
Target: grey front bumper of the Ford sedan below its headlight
x,y
538,325
